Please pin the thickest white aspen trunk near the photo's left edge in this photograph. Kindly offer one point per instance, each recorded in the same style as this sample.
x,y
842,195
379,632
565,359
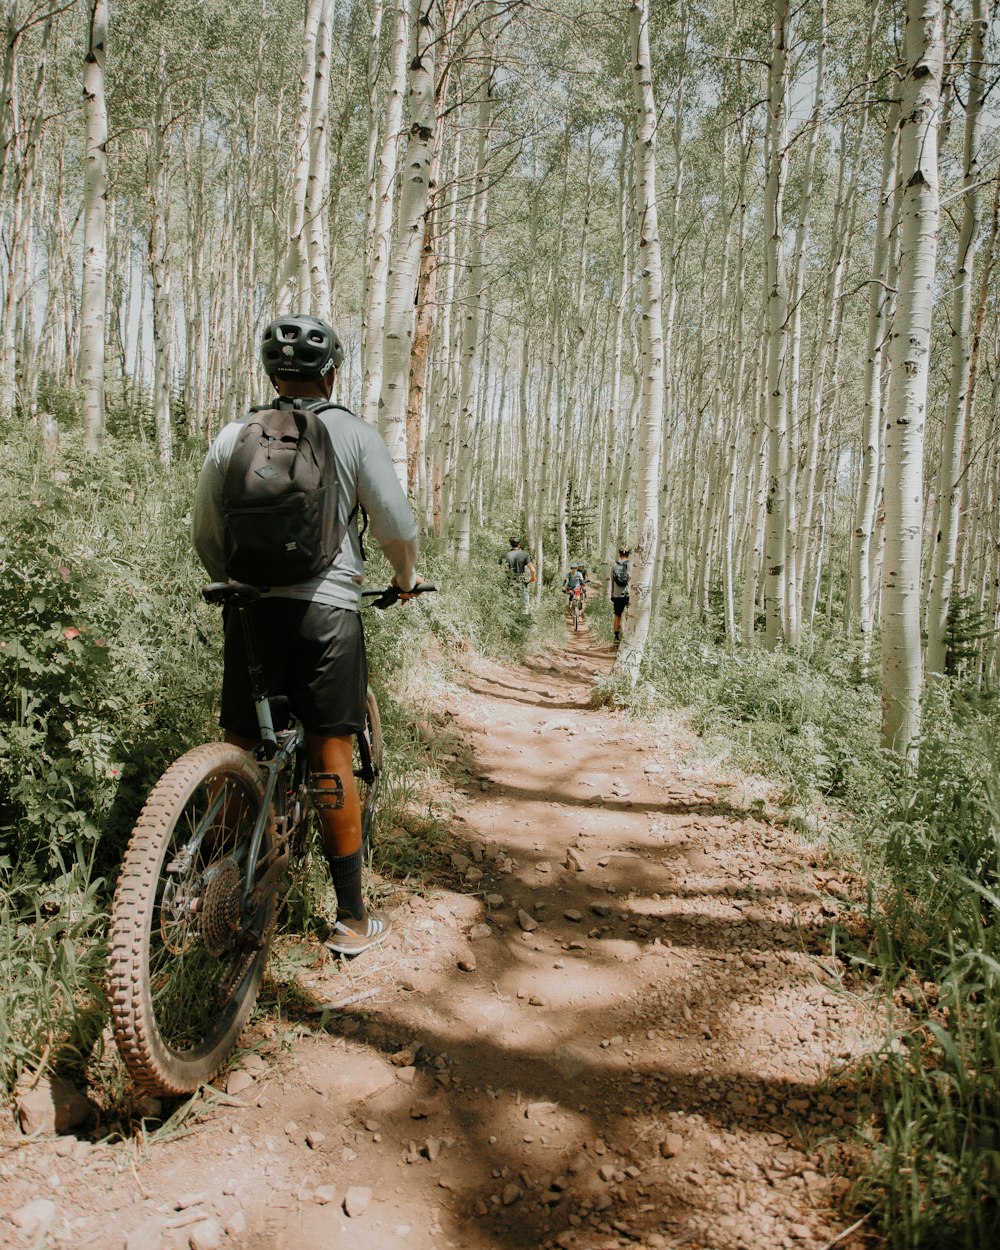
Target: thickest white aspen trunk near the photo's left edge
x,y
94,302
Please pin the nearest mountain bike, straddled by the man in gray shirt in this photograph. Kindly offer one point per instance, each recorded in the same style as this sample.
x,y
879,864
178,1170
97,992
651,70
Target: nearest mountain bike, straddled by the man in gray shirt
x,y
194,911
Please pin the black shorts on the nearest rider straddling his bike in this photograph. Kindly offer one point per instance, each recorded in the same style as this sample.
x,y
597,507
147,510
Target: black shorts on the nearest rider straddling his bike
x,y
312,653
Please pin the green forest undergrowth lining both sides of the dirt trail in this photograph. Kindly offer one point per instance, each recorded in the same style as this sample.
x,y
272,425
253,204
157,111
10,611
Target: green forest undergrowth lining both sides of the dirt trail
x,y
109,667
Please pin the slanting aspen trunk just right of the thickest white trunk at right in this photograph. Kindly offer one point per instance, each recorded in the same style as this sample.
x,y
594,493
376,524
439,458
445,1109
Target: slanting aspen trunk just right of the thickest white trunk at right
x,y
953,436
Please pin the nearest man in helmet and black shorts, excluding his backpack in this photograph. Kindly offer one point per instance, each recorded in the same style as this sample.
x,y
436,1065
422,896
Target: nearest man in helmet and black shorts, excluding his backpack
x,y
309,634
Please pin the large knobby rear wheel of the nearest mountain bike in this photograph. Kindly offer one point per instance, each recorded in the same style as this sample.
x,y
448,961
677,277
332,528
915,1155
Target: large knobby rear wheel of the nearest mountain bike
x,y
186,967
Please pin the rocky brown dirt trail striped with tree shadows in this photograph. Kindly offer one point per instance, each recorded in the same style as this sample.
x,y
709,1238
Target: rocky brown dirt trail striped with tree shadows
x,y
608,1024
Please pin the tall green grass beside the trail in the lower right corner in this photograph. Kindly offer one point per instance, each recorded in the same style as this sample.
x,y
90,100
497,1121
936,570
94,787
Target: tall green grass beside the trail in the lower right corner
x,y
936,1157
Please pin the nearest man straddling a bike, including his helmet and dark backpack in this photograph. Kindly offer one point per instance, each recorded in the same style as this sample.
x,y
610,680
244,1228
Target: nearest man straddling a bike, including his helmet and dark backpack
x,y
309,563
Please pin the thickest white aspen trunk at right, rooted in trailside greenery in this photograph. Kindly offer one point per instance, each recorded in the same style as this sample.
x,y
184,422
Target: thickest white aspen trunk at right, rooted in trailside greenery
x,y
908,387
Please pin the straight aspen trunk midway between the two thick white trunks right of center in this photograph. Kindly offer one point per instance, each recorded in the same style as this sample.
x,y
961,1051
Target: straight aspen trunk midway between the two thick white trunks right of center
x,y
777,303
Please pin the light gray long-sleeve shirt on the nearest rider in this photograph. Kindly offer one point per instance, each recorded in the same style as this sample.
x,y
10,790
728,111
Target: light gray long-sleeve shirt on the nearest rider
x,y
366,476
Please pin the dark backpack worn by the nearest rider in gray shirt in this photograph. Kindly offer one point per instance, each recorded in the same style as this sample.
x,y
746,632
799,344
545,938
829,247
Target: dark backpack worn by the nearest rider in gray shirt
x,y
281,498
